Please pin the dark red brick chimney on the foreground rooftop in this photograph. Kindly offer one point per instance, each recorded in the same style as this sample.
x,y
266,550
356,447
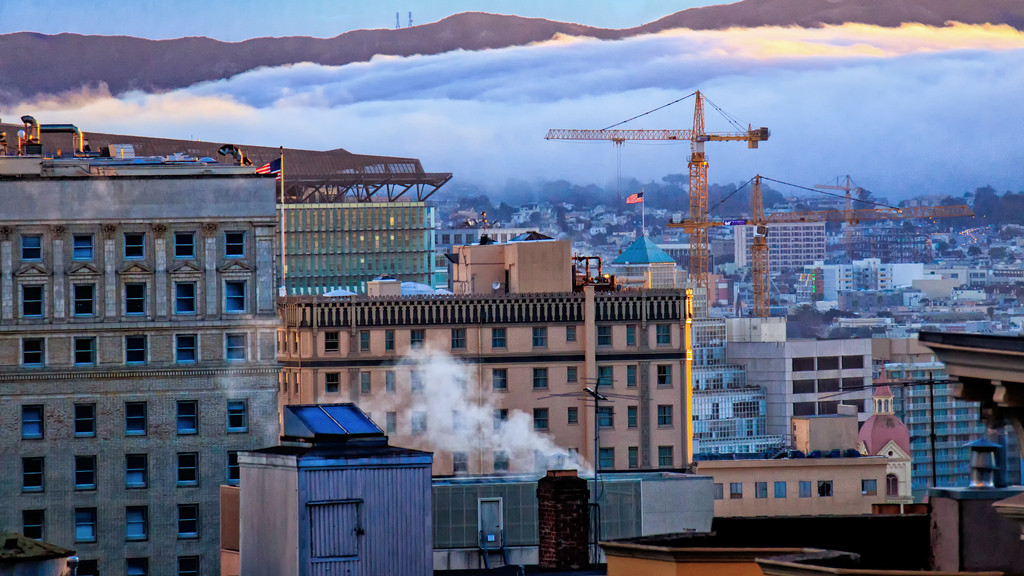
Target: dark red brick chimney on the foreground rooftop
x,y
564,515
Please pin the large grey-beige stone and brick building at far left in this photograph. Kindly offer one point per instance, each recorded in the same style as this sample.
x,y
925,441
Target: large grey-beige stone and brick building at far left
x,y
138,334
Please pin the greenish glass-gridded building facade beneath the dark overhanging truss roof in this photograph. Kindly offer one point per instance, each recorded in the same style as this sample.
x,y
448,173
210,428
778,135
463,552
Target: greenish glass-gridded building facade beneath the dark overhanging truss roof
x,y
344,245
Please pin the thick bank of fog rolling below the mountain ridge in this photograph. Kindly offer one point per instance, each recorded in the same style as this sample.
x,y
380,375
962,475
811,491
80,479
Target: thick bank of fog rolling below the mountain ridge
x,y
912,110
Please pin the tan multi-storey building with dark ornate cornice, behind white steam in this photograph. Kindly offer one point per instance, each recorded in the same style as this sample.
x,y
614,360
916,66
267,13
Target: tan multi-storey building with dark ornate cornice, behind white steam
x,y
495,379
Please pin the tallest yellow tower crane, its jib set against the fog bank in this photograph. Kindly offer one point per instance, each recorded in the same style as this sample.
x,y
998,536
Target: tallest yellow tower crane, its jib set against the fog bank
x,y
700,250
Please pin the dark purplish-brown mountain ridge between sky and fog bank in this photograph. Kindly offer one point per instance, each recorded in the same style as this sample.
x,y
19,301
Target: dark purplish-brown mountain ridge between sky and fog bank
x,y
35,65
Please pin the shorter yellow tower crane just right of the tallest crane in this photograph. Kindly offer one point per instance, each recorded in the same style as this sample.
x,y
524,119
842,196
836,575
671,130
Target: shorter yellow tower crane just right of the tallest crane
x,y
760,222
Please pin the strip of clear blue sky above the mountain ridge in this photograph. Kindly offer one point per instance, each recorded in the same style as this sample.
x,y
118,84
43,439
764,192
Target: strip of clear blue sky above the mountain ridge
x,y
323,19
